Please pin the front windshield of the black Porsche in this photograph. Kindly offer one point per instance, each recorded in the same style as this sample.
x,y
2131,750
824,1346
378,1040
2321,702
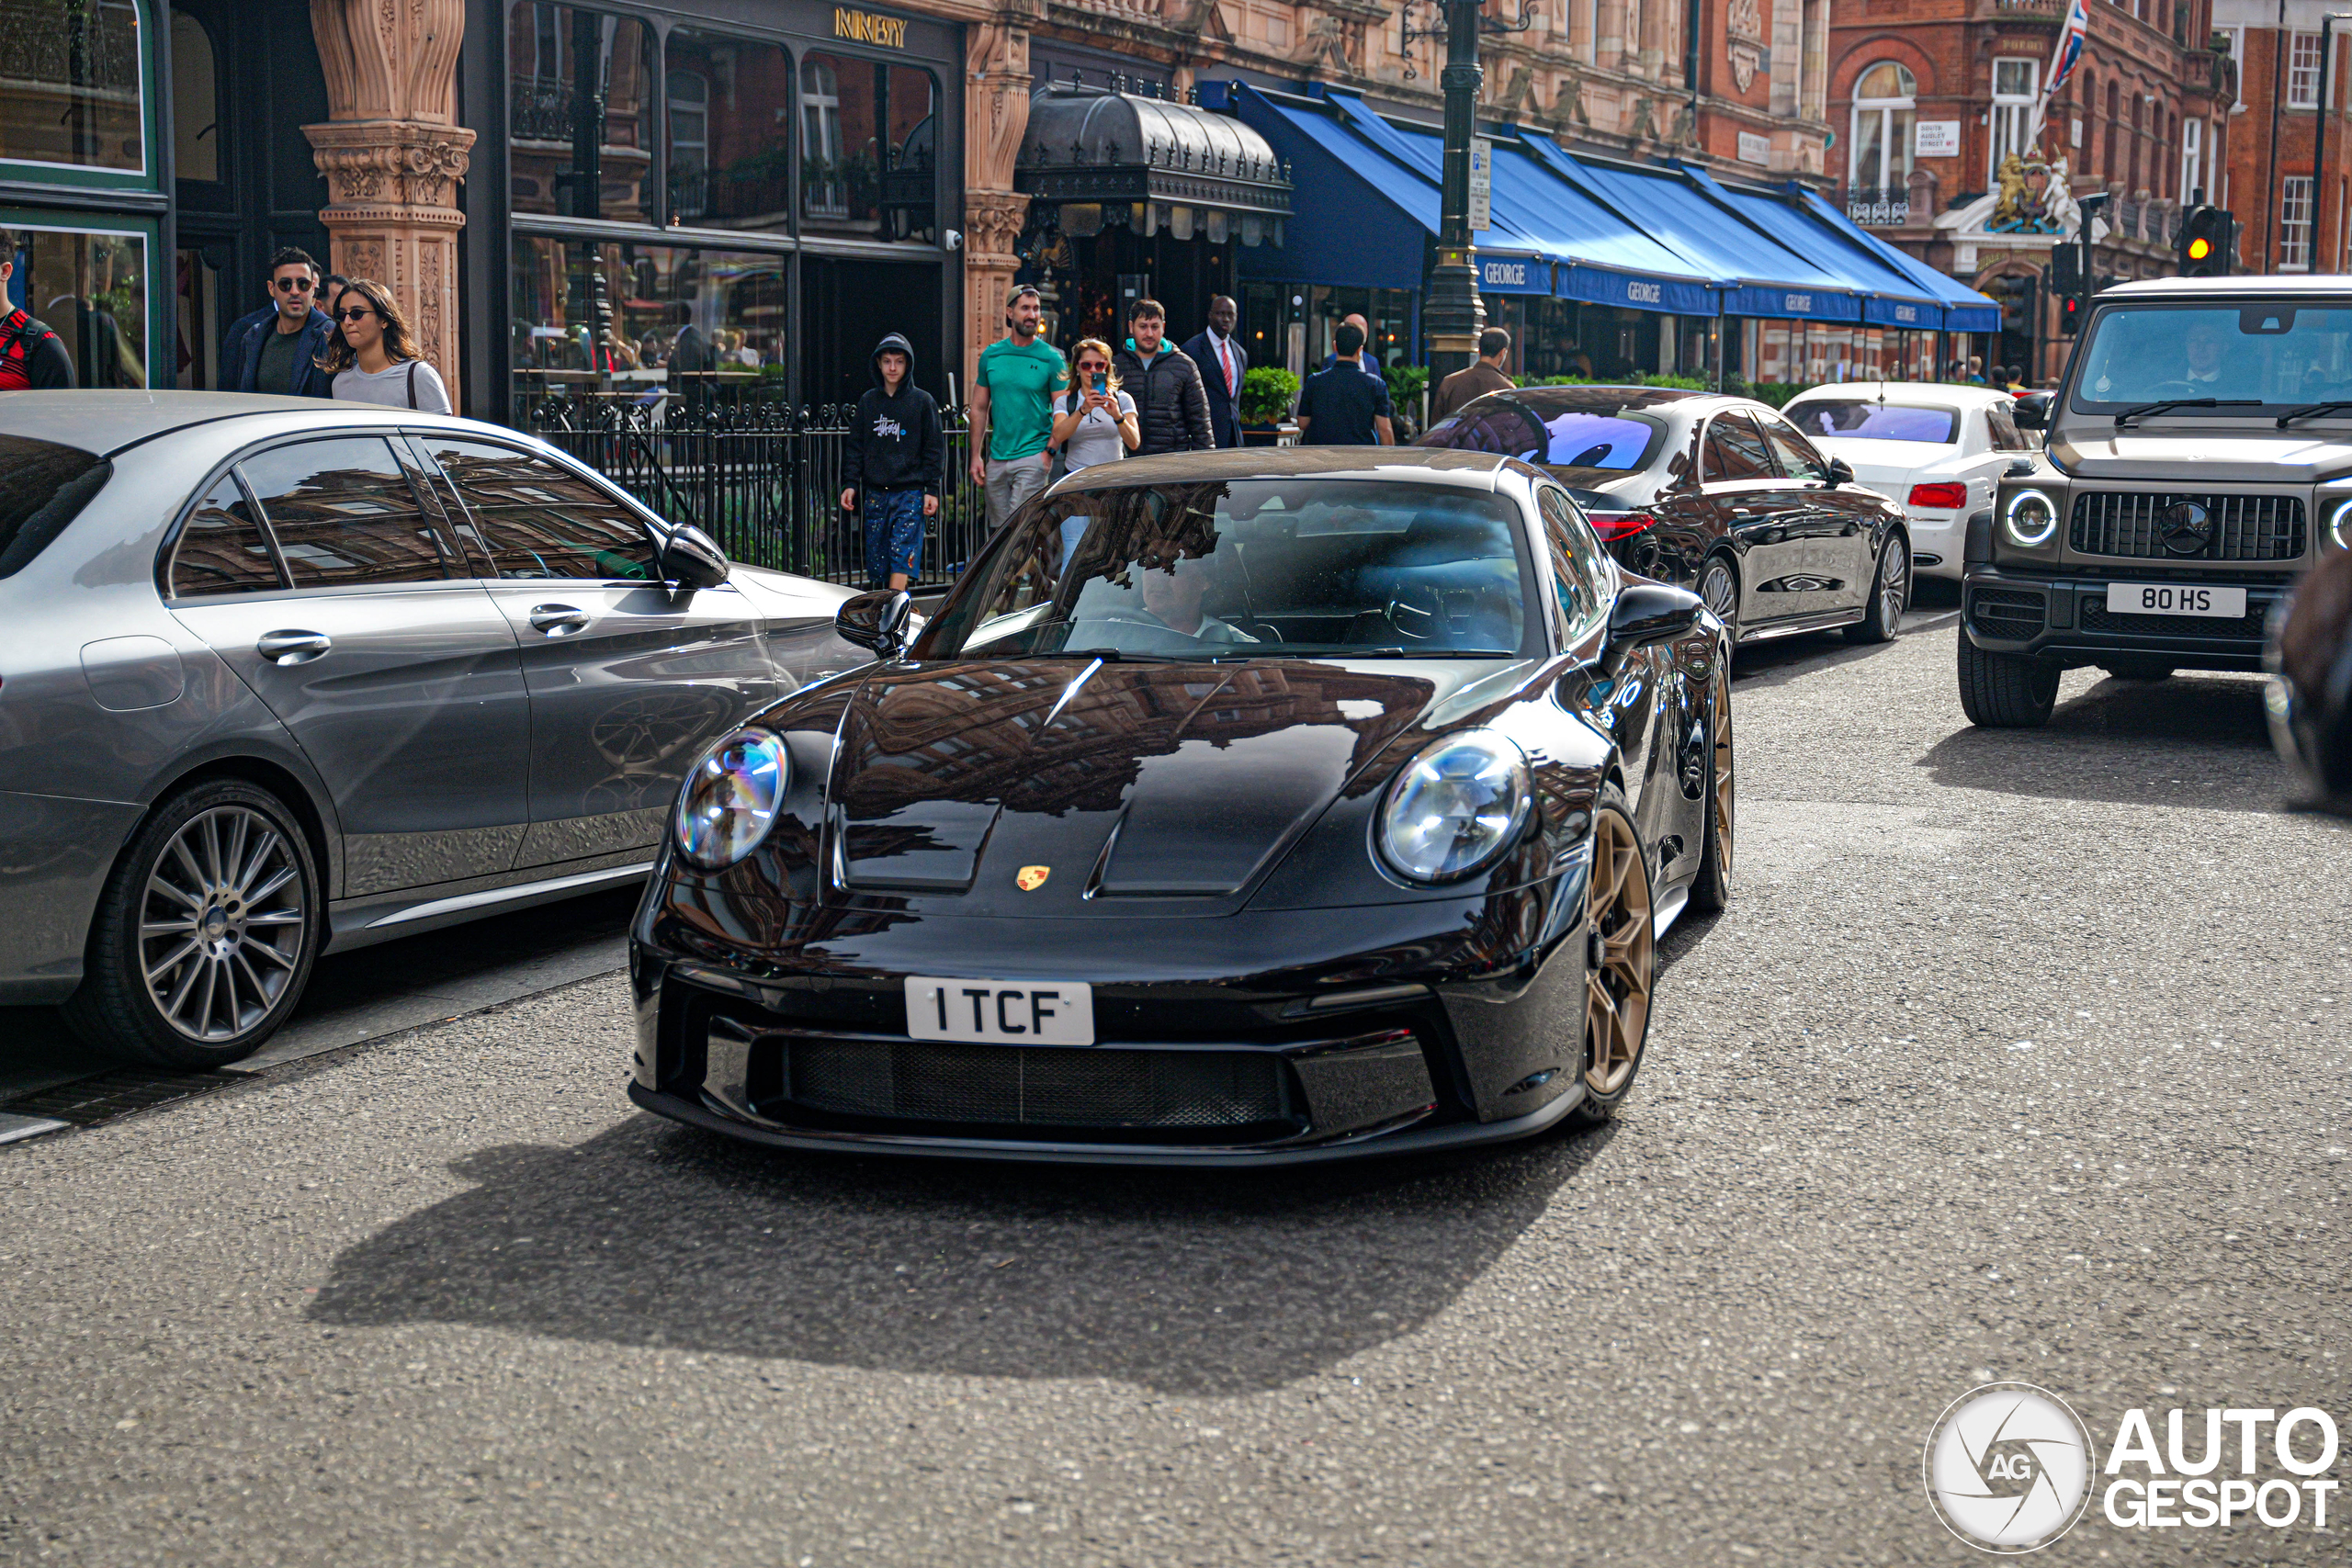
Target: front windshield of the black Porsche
x,y
1250,568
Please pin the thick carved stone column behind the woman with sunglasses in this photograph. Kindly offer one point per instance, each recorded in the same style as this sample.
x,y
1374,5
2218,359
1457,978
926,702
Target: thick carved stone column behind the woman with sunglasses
x,y
394,154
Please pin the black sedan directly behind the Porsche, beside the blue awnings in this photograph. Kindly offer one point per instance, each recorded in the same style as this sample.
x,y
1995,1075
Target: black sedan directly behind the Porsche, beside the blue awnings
x,y
1711,492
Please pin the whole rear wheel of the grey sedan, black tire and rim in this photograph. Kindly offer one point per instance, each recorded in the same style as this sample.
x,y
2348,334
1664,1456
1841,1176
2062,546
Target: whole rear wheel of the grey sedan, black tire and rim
x,y
255,923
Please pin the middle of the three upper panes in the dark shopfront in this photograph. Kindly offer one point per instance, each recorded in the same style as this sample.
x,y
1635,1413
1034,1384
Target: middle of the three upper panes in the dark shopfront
x,y
730,133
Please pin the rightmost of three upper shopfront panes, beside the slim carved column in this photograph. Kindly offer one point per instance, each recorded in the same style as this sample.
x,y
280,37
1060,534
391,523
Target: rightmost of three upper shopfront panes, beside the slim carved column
x,y
869,149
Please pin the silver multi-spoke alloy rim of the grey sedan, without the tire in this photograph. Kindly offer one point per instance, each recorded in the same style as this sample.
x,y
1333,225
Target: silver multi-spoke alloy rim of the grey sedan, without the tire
x,y
222,925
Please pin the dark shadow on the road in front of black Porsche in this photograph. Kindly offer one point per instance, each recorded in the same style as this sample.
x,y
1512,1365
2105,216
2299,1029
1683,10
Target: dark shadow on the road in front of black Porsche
x,y
1172,1280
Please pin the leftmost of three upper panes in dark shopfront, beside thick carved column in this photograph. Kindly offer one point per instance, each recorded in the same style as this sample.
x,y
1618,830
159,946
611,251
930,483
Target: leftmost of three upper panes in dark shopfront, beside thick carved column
x,y
582,135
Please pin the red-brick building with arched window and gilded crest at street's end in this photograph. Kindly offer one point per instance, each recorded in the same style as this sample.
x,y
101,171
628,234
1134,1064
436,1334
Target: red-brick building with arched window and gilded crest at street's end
x,y
1935,107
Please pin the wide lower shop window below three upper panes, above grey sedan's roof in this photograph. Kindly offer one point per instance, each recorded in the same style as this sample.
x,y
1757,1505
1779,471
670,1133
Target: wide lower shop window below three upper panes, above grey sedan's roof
x,y
641,321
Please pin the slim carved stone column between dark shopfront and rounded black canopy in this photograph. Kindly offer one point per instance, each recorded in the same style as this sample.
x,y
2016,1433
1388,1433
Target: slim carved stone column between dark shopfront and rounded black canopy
x,y
996,119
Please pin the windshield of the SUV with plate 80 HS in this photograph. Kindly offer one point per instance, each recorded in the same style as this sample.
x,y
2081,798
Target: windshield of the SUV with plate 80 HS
x,y
2264,354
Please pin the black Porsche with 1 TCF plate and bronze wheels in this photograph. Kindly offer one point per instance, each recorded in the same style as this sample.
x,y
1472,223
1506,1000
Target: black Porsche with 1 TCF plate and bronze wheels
x,y
1236,808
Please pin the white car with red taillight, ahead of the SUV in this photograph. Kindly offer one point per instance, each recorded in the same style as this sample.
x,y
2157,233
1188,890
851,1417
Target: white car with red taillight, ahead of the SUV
x,y
1932,450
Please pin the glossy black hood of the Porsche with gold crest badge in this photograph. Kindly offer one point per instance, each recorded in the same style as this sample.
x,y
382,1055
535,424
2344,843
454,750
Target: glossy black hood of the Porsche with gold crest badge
x,y
1130,782
